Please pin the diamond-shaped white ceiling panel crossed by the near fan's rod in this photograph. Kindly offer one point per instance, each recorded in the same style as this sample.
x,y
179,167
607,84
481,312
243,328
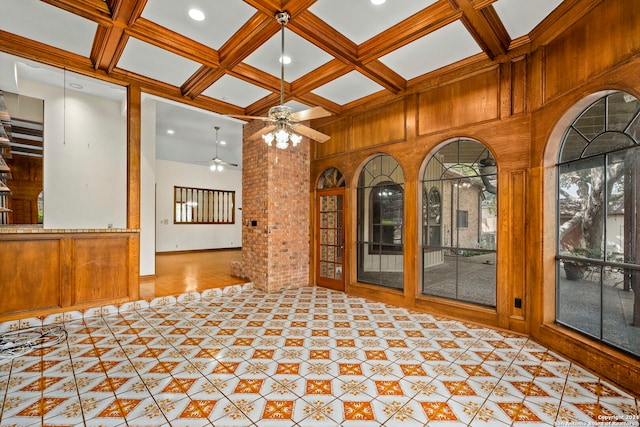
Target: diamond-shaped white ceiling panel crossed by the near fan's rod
x,y
305,57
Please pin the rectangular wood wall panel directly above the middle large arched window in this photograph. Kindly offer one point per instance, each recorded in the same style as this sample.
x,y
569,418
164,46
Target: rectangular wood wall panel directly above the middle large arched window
x,y
473,100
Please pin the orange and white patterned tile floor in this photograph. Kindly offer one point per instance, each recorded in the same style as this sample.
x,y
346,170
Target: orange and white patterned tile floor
x,y
307,357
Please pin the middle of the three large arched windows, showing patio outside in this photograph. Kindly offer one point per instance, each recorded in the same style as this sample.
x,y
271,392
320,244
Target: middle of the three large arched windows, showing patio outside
x,y
459,223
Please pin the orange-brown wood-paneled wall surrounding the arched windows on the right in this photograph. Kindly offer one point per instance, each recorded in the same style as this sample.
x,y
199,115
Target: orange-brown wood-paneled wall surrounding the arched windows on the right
x,y
519,110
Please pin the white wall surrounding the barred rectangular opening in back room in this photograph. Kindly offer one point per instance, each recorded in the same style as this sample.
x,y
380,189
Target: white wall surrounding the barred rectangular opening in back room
x,y
182,237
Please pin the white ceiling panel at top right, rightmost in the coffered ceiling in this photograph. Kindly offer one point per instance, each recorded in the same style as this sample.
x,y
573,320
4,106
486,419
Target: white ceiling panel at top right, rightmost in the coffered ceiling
x,y
520,17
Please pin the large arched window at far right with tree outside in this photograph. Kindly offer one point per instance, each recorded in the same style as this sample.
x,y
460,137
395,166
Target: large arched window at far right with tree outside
x,y
597,290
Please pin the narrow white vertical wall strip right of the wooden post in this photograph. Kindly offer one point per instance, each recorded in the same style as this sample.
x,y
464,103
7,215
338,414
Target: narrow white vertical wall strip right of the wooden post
x,y
148,189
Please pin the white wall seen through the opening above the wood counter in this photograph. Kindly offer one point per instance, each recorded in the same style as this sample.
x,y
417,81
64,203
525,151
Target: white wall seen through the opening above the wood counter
x,y
85,161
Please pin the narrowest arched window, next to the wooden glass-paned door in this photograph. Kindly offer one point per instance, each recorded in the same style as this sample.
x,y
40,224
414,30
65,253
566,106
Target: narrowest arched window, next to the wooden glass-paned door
x,y
381,223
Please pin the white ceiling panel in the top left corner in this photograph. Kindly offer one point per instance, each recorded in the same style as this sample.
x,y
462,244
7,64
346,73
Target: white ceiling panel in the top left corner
x,y
47,24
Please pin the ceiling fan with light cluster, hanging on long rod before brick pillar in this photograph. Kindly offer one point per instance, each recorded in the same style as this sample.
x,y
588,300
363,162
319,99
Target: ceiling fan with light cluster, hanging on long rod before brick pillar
x,y
284,125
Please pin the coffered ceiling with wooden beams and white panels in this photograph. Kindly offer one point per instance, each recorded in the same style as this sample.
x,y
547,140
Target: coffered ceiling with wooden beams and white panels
x,y
343,52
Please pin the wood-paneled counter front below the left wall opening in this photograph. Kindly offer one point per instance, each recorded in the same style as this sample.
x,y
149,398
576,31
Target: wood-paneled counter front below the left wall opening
x,y
44,271
